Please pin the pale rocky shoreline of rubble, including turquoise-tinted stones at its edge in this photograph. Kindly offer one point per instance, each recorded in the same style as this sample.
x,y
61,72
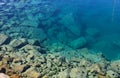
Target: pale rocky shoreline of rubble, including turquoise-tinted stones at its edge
x,y
22,58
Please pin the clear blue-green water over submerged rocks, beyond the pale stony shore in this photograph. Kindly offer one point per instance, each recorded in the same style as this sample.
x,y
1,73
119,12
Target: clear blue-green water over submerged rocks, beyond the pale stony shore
x,y
65,21
